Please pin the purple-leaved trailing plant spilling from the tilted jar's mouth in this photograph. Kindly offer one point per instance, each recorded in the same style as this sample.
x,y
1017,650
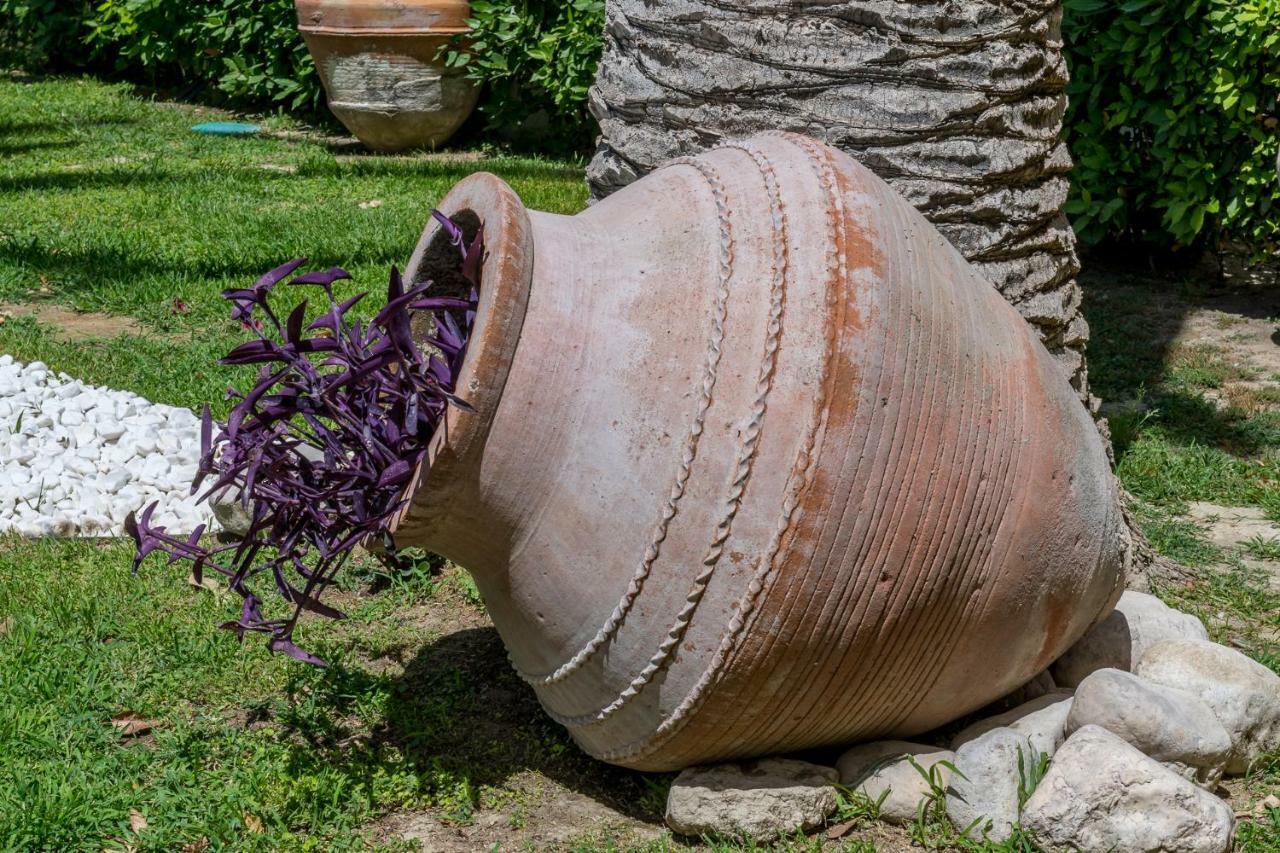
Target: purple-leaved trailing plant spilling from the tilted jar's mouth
x,y
323,448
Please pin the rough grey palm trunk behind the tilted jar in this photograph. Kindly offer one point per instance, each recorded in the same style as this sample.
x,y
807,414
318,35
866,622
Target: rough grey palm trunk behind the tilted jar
x,y
958,104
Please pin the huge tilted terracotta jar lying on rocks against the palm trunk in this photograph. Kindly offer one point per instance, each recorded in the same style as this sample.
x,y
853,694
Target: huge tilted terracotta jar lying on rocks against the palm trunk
x,y
760,464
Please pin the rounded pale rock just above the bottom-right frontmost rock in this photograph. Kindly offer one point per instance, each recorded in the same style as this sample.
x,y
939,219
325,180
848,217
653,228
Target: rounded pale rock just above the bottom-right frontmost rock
x,y
1164,723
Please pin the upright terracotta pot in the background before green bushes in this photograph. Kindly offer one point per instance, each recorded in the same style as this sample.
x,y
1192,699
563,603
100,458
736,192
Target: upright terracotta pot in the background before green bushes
x,y
378,61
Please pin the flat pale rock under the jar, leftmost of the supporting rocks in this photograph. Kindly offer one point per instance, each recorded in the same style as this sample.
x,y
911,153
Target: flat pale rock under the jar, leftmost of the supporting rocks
x,y
757,800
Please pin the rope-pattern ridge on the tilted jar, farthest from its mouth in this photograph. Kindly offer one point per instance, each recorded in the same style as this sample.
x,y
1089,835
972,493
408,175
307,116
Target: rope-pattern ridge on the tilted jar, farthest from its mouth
x,y
798,481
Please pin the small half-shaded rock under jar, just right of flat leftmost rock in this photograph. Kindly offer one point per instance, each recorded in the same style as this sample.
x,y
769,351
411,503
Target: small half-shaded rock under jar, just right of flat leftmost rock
x,y
884,767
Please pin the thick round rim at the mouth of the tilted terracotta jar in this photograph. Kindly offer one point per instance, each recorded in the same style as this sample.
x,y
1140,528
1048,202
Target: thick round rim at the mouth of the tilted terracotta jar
x,y
506,276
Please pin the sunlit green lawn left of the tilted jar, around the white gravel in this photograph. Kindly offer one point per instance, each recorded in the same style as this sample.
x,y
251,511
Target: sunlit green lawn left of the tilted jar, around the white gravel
x,y
111,204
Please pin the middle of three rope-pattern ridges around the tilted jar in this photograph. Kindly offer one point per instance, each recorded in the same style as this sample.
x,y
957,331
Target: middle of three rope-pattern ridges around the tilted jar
x,y
746,457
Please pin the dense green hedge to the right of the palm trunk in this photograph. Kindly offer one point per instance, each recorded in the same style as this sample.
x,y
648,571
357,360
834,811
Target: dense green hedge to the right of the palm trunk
x,y
1173,121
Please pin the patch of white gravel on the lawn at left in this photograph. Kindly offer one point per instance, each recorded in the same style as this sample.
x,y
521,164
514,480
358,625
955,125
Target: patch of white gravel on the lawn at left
x,y
76,459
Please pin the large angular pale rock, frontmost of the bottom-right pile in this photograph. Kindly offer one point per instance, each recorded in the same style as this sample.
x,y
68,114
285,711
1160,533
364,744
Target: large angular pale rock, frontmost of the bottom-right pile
x,y
1103,795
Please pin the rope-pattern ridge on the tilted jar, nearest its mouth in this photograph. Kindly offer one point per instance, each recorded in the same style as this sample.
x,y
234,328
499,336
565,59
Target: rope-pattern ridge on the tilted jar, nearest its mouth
x,y
725,263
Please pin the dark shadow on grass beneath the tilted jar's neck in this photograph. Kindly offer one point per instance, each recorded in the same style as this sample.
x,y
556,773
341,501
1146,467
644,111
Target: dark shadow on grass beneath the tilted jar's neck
x,y
460,720
